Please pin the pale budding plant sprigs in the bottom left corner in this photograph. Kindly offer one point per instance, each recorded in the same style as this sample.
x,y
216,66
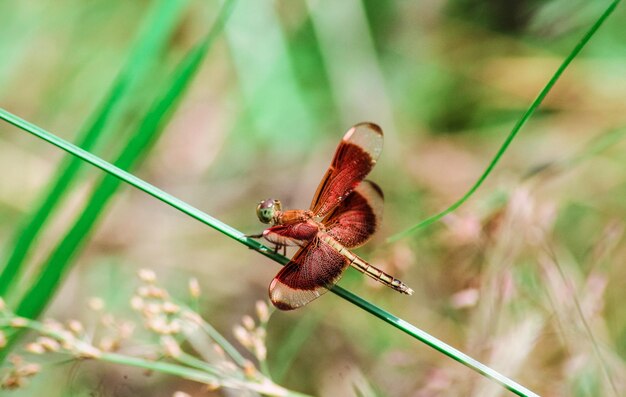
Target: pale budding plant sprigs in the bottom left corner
x,y
168,325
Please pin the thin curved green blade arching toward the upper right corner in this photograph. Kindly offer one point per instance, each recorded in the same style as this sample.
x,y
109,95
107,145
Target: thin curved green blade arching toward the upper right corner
x,y
534,105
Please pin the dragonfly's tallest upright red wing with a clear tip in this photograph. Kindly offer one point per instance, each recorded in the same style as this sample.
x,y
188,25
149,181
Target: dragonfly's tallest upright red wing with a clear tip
x,y
354,159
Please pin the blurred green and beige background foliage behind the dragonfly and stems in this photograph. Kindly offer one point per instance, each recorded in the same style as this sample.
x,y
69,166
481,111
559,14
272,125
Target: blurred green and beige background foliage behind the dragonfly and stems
x,y
527,276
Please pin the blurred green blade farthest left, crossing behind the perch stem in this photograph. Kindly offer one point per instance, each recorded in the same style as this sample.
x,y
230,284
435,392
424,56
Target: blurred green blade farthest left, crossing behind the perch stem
x,y
152,38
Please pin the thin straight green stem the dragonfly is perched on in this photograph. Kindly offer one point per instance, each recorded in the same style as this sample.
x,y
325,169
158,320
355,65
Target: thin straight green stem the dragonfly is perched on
x,y
239,236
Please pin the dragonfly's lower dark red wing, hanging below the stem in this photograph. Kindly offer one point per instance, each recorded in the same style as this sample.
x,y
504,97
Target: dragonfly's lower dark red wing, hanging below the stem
x,y
312,271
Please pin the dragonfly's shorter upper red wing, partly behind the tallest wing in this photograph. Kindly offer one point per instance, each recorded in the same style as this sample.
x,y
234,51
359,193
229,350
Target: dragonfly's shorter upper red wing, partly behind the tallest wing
x,y
358,217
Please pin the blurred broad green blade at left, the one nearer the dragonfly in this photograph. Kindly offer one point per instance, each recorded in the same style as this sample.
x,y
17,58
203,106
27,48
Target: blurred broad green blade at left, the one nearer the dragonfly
x,y
156,118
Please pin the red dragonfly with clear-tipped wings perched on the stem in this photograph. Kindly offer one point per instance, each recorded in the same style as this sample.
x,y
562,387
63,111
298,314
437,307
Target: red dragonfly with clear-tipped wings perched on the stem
x,y
344,214
